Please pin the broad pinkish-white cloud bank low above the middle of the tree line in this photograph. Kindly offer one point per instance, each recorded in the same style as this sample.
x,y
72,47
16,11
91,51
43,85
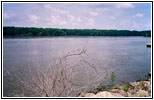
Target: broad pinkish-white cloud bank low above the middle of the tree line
x,y
71,21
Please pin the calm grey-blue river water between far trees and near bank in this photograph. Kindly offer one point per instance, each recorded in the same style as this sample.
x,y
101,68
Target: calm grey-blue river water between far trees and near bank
x,y
127,57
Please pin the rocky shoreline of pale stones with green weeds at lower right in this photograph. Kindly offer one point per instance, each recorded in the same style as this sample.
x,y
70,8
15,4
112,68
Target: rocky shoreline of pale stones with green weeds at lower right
x,y
140,88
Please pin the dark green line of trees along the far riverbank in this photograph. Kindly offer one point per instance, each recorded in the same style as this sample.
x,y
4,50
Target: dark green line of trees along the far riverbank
x,y
33,32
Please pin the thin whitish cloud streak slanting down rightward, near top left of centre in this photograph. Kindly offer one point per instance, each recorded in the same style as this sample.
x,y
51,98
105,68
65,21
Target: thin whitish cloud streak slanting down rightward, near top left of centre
x,y
56,10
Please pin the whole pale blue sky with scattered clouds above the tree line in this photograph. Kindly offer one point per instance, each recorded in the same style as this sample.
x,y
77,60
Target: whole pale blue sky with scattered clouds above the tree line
x,y
101,15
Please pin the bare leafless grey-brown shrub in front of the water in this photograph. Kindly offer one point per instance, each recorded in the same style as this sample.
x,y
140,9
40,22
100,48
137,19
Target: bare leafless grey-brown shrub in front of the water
x,y
59,81
